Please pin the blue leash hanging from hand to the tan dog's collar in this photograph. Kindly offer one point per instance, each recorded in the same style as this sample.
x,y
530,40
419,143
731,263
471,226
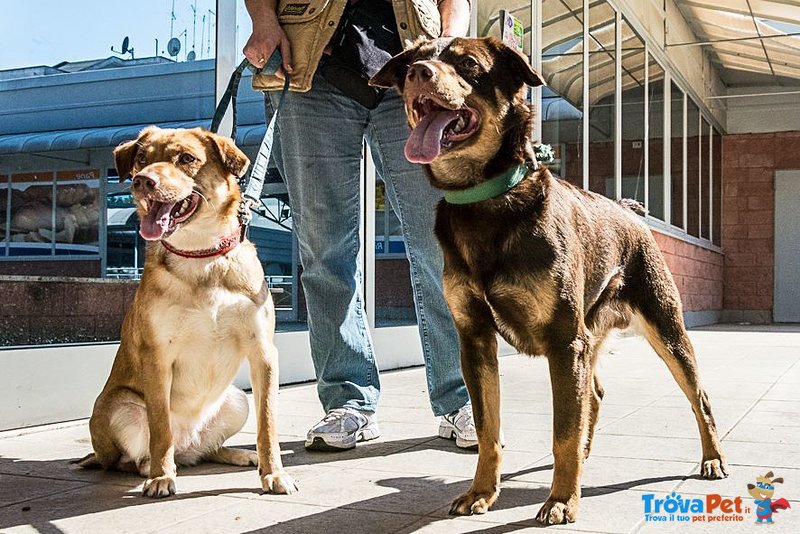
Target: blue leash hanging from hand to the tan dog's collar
x,y
255,183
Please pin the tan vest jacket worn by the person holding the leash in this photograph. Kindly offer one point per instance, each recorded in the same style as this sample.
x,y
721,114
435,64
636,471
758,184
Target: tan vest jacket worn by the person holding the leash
x,y
310,24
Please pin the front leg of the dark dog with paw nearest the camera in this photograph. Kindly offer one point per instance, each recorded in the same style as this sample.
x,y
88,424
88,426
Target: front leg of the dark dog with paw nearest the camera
x,y
571,381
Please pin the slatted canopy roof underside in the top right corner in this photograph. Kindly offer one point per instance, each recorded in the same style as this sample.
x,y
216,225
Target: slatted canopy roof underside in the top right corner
x,y
754,42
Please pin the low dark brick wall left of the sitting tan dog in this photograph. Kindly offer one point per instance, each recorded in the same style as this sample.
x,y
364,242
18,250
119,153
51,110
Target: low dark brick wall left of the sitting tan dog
x,y
37,310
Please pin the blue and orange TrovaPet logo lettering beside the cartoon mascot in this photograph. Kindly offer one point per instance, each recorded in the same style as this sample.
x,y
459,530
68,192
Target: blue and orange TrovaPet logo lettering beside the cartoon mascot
x,y
708,508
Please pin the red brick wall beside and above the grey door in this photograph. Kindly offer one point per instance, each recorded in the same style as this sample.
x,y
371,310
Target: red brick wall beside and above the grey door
x,y
748,215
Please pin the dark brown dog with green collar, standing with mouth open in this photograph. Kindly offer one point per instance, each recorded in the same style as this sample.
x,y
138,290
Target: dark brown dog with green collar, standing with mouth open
x,y
550,267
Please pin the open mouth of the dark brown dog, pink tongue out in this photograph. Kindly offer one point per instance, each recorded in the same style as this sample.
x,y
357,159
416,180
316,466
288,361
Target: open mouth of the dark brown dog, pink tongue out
x,y
438,127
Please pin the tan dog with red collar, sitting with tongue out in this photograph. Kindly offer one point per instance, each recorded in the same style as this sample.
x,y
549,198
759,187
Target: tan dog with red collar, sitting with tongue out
x,y
201,307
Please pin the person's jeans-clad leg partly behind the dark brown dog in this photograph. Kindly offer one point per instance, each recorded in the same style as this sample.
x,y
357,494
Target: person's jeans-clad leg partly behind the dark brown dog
x,y
414,200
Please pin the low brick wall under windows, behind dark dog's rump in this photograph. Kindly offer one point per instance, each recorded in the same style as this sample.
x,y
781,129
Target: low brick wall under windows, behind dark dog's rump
x,y
698,273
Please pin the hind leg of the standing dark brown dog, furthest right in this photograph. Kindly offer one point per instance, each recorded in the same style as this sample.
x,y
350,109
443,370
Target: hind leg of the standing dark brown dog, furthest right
x,y
662,324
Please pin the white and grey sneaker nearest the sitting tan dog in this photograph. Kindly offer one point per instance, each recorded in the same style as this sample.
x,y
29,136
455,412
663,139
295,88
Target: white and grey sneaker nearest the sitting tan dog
x,y
341,429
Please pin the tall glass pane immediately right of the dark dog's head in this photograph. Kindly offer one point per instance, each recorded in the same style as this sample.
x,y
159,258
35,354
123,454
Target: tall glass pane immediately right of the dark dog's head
x,y
562,98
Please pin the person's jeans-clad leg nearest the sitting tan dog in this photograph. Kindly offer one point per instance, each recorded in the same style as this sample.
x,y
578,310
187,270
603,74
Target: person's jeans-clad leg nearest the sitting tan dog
x,y
318,152
